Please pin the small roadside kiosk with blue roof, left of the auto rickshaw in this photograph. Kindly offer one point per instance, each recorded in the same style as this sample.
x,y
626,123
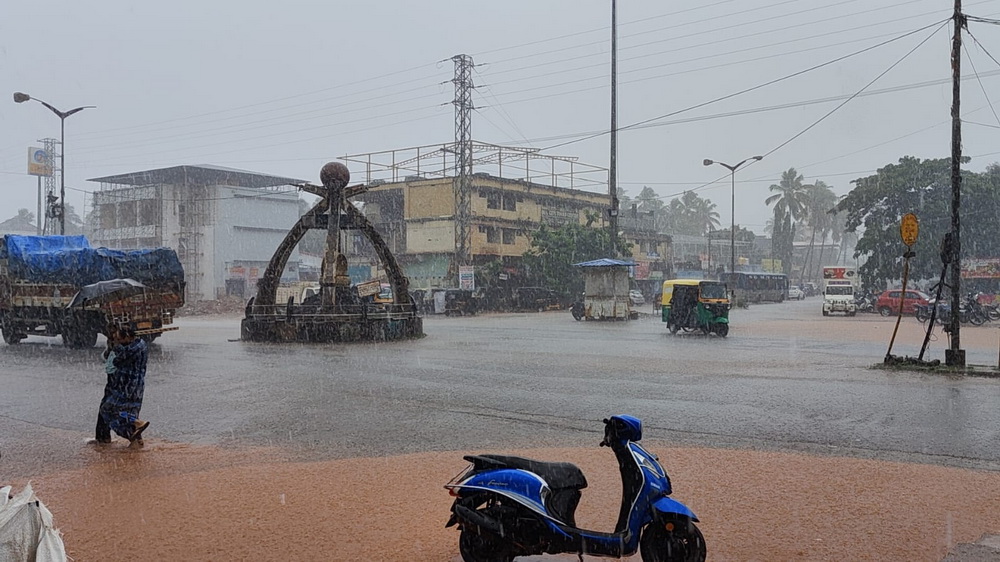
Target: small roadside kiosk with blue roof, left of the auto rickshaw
x,y
606,287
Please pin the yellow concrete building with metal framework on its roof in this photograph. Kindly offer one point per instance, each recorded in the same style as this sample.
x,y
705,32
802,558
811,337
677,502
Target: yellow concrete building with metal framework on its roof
x,y
414,194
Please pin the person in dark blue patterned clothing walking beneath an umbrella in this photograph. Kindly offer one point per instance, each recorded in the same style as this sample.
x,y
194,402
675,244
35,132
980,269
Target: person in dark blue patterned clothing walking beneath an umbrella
x,y
125,363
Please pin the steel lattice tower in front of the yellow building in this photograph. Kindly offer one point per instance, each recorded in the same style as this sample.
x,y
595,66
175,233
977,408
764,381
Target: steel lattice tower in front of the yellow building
x,y
463,157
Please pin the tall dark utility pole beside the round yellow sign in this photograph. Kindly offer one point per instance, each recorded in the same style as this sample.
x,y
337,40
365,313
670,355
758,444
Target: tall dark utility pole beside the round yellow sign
x,y
955,356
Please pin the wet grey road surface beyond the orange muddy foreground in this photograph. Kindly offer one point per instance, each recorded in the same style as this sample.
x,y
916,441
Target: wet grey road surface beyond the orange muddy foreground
x,y
785,379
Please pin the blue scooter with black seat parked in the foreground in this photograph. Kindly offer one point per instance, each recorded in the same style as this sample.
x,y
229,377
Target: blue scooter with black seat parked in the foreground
x,y
509,506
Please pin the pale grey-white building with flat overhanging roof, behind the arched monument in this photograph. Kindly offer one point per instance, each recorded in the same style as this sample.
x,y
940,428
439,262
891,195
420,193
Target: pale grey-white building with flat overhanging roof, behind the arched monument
x,y
224,223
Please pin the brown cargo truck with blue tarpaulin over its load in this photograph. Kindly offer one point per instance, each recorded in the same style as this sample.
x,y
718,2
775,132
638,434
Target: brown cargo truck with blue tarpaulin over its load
x,y
39,276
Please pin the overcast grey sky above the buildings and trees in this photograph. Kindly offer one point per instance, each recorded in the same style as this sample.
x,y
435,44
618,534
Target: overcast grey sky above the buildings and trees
x,y
283,87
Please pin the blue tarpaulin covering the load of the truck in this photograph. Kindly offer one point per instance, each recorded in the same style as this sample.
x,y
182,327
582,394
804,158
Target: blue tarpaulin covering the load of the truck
x,y
71,260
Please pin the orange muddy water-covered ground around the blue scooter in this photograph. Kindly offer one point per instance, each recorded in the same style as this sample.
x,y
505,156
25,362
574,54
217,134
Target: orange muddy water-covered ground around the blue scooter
x,y
183,502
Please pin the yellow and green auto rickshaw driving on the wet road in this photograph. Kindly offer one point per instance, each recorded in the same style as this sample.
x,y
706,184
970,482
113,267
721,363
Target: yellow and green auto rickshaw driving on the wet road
x,y
693,304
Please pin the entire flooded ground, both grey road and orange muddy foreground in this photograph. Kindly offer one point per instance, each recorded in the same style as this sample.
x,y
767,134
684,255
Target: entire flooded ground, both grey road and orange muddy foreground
x,y
253,448
